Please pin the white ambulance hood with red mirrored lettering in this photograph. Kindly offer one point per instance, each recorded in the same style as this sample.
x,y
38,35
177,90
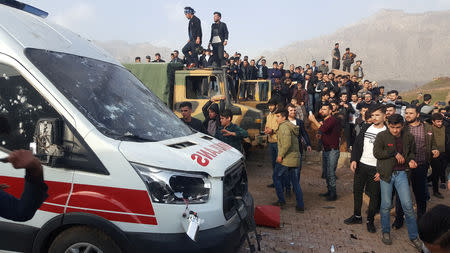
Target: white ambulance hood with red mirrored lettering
x,y
194,153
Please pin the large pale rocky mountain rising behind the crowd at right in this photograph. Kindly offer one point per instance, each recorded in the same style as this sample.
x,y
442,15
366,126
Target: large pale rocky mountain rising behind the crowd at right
x,y
400,50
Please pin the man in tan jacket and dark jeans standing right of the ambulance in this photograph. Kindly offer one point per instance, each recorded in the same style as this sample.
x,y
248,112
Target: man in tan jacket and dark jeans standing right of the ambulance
x,y
288,158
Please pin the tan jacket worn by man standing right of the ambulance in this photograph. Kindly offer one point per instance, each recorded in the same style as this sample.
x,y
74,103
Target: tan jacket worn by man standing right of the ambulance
x,y
288,147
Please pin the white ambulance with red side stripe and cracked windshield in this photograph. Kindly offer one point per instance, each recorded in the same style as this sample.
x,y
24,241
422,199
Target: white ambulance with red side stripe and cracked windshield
x,y
124,174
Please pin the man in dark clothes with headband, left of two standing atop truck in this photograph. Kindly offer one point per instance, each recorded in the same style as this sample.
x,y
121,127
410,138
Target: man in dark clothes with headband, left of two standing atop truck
x,y
195,37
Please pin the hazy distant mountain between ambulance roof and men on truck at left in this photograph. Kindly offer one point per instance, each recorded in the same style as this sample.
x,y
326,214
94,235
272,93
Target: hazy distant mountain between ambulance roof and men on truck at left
x,y
126,52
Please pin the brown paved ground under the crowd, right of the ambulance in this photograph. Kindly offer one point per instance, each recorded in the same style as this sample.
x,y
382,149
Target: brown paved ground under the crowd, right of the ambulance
x,y
322,223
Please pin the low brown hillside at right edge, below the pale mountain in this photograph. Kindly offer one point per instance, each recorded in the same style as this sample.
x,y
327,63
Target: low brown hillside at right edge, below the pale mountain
x,y
438,88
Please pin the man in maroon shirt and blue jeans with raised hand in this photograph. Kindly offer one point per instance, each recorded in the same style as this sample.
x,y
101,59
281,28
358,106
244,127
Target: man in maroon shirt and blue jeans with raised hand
x,y
330,130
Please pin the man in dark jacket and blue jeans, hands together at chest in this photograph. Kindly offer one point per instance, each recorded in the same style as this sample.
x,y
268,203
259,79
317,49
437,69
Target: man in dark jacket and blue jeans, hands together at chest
x,y
394,150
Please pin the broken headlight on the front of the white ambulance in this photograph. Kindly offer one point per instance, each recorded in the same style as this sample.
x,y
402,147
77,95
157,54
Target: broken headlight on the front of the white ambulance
x,y
172,187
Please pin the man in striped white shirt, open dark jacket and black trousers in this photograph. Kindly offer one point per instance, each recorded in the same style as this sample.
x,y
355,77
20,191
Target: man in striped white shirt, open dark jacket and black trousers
x,y
363,165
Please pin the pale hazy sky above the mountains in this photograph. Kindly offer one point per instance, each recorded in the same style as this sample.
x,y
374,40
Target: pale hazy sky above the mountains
x,y
254,26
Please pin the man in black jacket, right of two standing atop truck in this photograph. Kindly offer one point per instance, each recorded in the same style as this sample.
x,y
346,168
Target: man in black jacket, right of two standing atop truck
x,y
219,39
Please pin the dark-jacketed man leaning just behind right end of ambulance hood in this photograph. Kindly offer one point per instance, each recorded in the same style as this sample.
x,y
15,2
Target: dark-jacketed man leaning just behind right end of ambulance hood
x,y
230,133
